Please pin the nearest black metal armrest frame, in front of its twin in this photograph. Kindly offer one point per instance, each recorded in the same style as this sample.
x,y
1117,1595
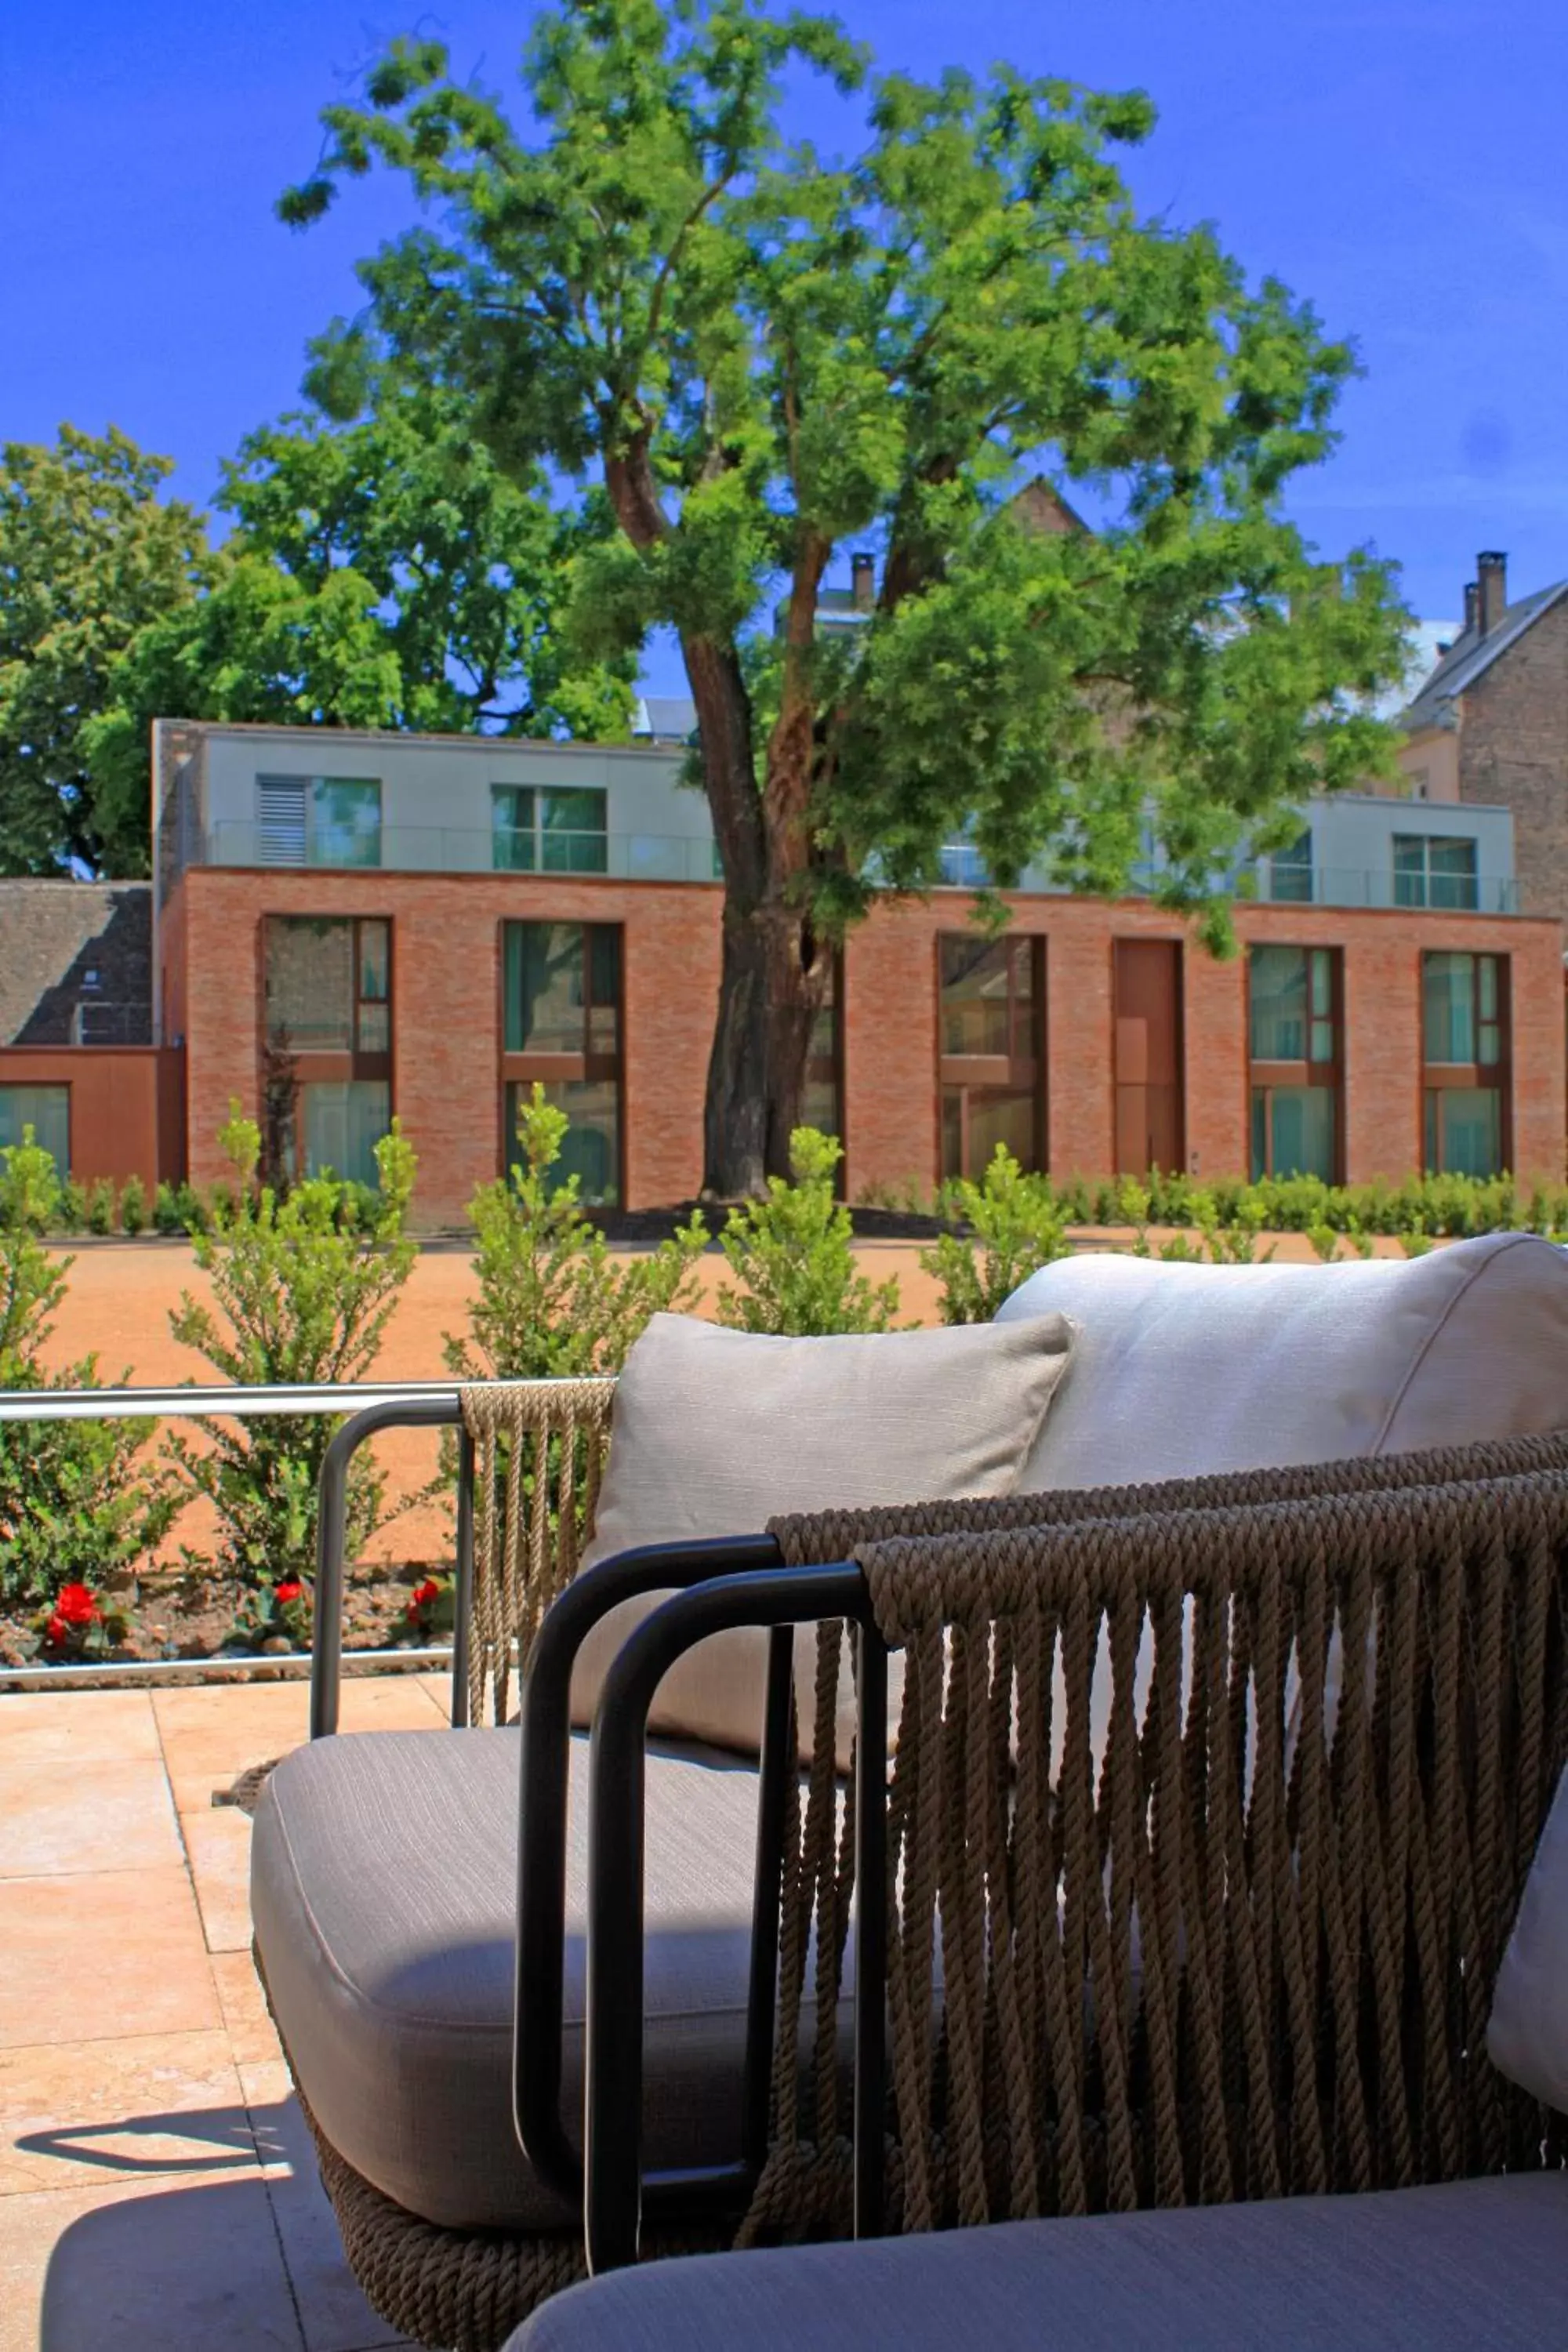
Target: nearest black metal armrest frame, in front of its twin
x,y
615,2184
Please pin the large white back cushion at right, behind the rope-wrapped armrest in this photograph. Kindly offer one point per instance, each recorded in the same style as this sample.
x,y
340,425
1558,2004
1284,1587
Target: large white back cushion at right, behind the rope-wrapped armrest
x,y
1184,1370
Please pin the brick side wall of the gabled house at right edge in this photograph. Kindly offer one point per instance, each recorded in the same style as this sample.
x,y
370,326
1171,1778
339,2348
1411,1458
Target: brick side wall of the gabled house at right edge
x,y
1515,754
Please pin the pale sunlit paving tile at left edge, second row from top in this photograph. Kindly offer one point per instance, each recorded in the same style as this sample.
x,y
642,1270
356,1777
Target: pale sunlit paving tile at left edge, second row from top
x,y
86,1817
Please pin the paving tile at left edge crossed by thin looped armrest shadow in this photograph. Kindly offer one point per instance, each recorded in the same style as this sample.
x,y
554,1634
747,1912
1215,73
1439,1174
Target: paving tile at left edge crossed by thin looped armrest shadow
x,y
102,2113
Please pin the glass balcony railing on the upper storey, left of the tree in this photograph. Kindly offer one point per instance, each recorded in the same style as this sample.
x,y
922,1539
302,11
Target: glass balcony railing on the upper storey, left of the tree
x,y
481,850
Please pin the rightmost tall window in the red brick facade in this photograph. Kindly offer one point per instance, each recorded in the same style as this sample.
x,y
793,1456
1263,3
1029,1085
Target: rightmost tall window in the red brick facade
x,y
1466,1064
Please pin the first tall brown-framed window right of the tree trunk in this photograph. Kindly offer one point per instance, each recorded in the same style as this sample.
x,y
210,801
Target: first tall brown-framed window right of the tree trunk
x,y
991,1043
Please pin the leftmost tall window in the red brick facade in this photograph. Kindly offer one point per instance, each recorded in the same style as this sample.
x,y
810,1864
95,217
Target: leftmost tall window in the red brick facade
x,y
328,1048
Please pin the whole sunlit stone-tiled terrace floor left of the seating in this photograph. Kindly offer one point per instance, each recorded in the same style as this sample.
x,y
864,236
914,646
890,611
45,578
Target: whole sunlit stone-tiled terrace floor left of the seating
x,y
156,2181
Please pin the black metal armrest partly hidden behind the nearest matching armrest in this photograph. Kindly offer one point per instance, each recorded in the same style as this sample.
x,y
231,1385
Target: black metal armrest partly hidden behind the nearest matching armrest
x,y
542,1815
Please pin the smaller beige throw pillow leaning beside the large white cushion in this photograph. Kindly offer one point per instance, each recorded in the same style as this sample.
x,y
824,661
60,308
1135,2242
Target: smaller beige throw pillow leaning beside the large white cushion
x,y
721,1431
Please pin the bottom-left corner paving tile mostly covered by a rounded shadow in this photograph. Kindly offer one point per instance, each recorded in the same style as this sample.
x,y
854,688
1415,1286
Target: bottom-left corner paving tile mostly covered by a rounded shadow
x,y
180,2266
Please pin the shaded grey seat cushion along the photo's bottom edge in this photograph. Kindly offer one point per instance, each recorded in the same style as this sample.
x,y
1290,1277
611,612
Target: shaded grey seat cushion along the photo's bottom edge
x,y
1412,2271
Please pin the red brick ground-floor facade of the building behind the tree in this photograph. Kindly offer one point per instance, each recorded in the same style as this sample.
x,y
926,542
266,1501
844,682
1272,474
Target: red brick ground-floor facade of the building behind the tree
x,y
448,1010
